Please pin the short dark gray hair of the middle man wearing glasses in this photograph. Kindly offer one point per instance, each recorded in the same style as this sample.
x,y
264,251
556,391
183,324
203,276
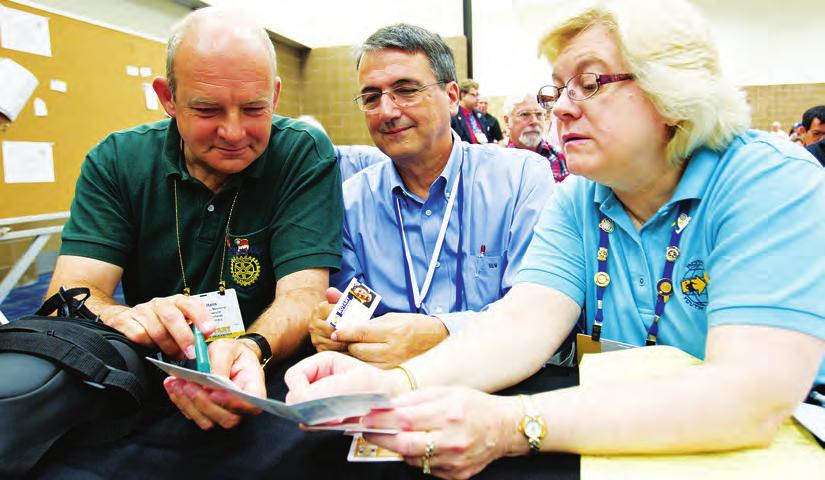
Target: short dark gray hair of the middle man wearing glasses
x,y
413,39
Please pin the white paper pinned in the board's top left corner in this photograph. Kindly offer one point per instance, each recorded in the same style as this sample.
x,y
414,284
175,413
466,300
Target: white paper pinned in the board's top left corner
x,y
25,32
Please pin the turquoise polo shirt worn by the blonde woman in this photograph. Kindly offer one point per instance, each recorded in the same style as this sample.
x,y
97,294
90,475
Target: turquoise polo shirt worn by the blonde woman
x,y
751,255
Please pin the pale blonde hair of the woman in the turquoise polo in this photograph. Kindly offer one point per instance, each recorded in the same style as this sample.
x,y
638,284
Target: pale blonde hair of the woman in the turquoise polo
x,y
667,45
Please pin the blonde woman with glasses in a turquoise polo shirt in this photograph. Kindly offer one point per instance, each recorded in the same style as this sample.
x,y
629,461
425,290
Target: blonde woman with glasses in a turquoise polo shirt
x,y
682,228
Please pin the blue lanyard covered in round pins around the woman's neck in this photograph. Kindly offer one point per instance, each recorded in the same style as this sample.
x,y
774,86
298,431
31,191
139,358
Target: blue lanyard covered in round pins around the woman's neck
x,y
664,287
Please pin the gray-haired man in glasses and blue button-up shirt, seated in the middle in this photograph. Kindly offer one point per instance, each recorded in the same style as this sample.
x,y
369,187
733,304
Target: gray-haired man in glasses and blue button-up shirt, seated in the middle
x,y
440,230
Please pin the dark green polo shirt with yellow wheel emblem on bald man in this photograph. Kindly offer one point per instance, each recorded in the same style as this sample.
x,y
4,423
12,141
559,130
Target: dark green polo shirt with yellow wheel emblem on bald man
x,y
287,216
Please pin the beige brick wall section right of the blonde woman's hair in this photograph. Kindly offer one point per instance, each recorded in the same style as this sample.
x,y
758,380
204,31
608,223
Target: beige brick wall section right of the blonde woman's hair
x,y
785,103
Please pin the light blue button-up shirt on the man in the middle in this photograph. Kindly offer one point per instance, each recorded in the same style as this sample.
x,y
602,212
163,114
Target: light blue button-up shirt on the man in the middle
x,y
504,191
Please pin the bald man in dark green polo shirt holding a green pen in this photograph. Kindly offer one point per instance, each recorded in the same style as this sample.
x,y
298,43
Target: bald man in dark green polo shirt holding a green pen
x,y
224,198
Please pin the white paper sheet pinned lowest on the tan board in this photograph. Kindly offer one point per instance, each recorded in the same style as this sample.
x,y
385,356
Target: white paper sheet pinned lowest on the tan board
x,y
28,162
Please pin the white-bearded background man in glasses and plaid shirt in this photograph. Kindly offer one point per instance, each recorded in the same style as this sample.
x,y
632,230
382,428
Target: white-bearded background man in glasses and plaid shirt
x,y
527,121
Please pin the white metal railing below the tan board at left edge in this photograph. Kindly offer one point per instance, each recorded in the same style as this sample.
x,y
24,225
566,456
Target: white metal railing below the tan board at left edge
x,y
41,237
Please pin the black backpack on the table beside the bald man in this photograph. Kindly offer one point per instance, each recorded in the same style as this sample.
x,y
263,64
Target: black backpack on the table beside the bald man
x,y
69,376
